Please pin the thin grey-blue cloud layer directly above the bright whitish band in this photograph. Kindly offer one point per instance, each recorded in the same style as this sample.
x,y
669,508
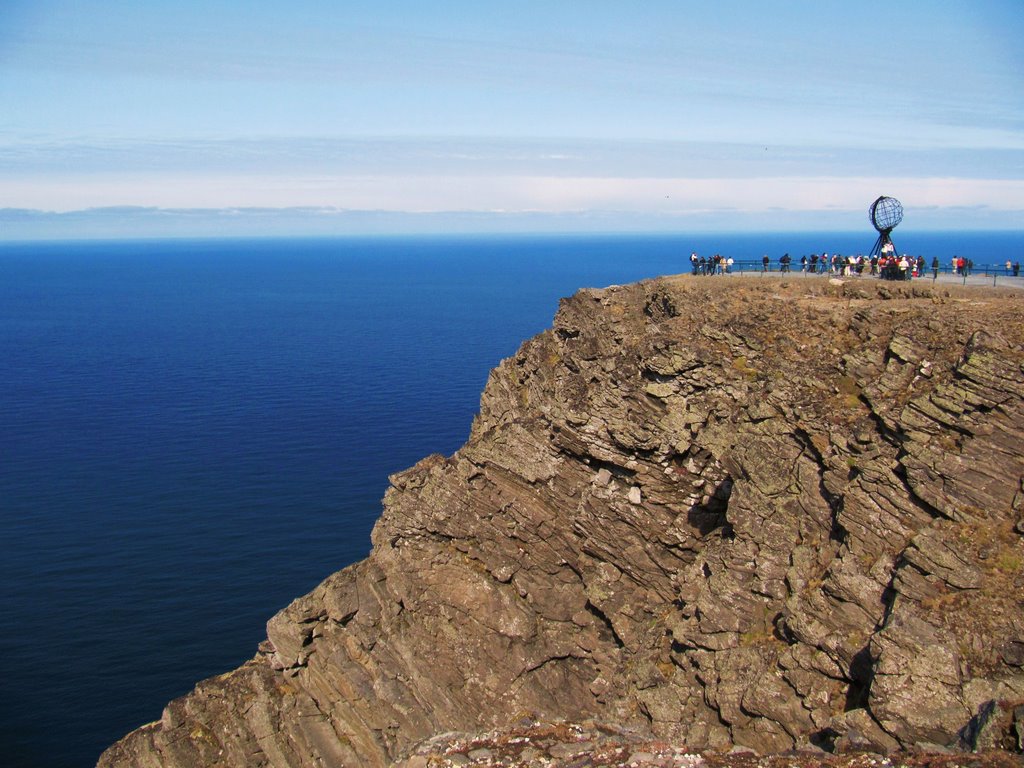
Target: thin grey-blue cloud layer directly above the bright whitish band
x,y
458,156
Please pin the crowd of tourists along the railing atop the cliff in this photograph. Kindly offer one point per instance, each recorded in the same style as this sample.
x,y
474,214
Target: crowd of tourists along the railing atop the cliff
x,y
886,266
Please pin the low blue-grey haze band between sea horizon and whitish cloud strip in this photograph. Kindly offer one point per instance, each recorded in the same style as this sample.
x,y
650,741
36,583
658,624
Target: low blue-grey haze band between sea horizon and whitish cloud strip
x,y
140,222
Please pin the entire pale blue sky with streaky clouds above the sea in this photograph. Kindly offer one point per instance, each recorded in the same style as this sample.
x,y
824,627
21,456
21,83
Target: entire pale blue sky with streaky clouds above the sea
x,y
218,117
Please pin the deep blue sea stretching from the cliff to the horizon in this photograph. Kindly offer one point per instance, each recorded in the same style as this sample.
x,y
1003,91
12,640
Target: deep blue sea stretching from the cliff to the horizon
x,y
195,433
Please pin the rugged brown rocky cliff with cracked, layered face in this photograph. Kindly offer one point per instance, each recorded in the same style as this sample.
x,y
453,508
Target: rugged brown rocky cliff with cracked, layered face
x,y
766,514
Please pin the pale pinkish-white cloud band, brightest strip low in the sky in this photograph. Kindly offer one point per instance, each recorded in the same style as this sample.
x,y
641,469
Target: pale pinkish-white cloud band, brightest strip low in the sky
x,y
487,190
